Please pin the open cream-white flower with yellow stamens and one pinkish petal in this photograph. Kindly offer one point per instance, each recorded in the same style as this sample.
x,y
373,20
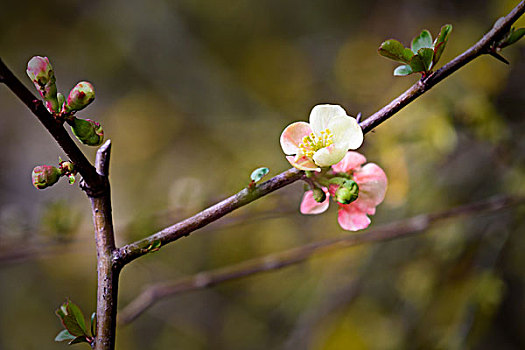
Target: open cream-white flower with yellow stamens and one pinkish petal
x,y
322,142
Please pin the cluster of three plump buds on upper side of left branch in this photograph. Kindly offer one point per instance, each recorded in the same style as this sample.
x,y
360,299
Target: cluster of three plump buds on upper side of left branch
x,y
87,131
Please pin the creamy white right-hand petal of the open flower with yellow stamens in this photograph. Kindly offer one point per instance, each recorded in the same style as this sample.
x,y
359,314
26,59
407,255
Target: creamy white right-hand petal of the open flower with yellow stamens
x,y
346,132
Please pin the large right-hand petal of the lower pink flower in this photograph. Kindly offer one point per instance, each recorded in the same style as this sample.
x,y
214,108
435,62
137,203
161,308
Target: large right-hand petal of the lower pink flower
x,y
372,183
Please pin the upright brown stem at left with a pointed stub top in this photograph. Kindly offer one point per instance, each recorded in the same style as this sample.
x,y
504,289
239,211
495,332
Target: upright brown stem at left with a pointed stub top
x,y
107,271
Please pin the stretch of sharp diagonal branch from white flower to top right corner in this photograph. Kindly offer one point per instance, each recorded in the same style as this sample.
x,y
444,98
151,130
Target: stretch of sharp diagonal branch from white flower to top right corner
x,y
483,46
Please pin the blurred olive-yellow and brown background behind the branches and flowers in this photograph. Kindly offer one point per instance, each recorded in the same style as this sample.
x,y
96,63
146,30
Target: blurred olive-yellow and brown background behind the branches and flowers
x,y
194,96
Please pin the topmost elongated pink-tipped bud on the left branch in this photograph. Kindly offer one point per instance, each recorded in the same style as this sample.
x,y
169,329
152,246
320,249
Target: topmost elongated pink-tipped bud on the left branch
x,y
41,73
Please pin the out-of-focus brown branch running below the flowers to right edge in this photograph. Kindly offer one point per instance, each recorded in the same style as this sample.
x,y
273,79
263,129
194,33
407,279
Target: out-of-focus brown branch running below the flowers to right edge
x,y
400,229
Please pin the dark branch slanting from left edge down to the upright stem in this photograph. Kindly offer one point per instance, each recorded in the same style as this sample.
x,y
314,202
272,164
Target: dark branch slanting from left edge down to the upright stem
x,y
55,128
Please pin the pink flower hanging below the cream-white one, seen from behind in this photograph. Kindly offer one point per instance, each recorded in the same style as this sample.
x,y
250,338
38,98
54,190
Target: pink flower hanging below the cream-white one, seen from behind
x,y
372,183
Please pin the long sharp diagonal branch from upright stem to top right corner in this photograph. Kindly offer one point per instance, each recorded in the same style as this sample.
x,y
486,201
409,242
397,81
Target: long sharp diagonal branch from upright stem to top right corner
x,y
134,250
